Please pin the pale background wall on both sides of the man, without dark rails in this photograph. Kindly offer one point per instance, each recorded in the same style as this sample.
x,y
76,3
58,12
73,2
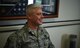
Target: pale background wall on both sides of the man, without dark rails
x,y
68,10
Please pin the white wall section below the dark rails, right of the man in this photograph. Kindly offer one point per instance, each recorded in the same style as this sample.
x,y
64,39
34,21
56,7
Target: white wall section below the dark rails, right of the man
x,y
56,33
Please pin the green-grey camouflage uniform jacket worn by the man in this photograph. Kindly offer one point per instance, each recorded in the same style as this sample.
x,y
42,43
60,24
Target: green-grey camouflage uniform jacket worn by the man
x,y
27,38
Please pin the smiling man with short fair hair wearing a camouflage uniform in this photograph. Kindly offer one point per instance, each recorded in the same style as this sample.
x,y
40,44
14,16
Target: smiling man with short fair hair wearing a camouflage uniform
x,y
31,35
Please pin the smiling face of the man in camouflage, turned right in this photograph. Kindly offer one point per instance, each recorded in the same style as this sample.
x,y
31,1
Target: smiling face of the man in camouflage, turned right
x,y
36,16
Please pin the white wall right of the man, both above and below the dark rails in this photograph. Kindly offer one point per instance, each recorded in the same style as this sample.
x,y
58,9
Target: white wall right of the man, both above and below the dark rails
x,y
68,10
